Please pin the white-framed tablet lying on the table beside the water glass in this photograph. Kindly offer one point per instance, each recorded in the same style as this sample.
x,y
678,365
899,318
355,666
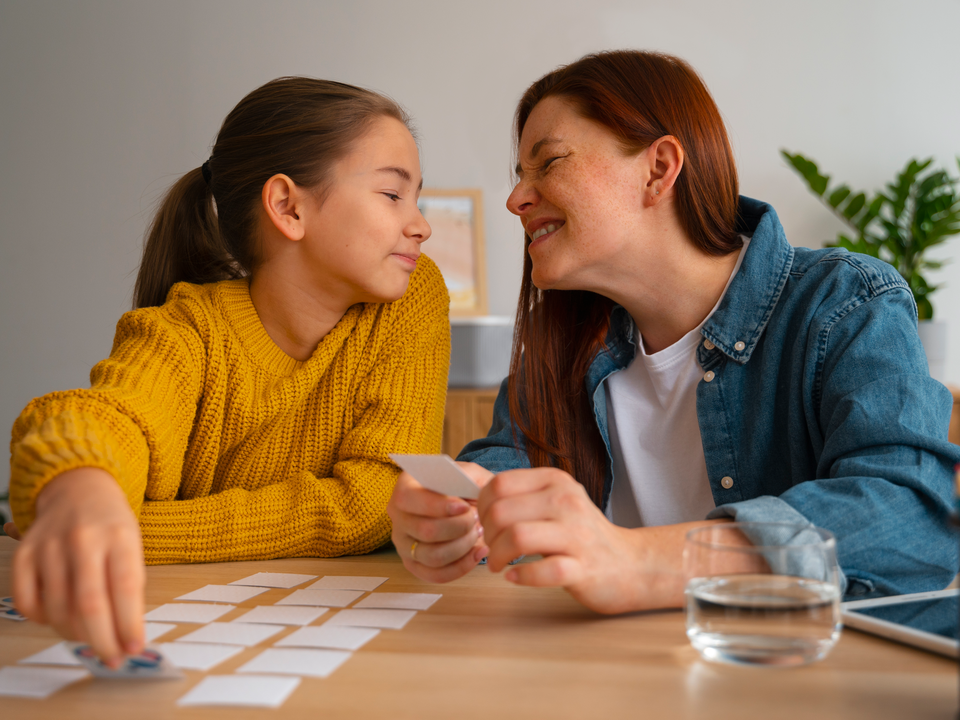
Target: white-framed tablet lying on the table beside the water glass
x,y
924,620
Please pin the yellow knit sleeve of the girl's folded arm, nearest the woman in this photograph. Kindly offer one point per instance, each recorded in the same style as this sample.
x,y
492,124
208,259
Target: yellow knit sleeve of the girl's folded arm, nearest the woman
x,y
398,408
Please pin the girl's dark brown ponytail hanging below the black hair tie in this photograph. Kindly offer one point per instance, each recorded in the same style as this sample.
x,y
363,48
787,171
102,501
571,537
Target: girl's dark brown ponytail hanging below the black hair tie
x,y
184,244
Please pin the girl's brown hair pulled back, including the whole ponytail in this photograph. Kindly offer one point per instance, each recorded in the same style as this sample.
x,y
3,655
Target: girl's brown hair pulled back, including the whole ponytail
x,y
205,229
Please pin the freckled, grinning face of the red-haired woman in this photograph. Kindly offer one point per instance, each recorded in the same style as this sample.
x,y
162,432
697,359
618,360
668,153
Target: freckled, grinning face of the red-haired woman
x,y
579,197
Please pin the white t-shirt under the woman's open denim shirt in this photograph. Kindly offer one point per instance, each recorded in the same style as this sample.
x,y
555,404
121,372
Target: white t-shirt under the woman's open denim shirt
x,y
659,471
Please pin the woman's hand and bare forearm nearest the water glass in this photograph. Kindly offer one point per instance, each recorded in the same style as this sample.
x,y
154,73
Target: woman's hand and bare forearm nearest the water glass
x,y
610,569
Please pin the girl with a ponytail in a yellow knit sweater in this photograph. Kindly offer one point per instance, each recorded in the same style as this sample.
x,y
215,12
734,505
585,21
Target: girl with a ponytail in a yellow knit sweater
x,y
288,336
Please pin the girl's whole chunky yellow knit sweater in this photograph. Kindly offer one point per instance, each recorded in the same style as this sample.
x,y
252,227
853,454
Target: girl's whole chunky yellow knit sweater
x,y
229,449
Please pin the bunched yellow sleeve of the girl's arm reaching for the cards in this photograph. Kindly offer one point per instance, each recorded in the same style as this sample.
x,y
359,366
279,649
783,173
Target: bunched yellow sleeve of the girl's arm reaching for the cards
x,y
140,406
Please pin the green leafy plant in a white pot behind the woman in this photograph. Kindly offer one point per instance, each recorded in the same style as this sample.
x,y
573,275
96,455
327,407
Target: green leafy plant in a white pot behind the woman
x,y
918,210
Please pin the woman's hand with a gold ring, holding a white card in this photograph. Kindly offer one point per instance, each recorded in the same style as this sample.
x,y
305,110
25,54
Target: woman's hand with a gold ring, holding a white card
x,y
438,537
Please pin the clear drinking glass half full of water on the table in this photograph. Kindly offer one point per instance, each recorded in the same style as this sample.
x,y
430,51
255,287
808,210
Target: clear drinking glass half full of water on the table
x,y
776,603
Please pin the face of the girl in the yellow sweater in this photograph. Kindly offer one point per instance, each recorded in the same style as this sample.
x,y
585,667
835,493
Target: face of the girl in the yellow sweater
x,y
363,241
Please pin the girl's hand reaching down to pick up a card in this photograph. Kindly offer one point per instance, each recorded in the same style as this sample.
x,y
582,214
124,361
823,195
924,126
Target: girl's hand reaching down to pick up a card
x,y
80,565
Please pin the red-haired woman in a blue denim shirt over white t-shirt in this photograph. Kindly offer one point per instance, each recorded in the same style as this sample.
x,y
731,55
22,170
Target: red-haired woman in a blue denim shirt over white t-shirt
x,y
677,363
